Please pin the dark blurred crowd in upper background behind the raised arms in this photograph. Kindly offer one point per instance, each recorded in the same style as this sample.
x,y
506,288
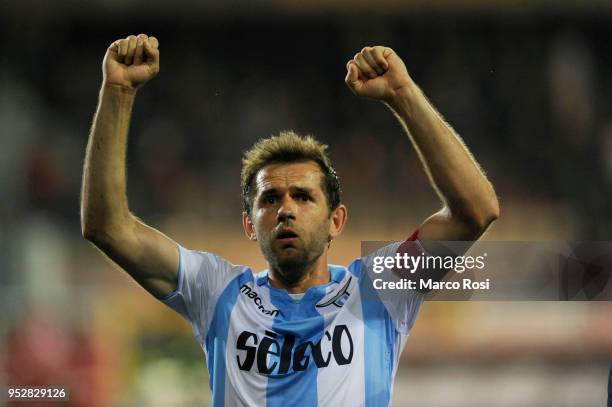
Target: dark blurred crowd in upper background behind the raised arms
x,y
529,98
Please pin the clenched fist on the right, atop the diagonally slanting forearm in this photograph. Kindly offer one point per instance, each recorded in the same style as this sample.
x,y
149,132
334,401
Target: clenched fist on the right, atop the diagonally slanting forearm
x,y
377,73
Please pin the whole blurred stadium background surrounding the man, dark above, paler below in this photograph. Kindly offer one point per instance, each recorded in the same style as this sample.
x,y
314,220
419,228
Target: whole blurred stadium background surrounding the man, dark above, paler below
x,y
526,83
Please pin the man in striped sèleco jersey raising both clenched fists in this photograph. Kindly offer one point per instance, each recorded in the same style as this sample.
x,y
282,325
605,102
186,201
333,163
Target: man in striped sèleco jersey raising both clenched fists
x,y
301,332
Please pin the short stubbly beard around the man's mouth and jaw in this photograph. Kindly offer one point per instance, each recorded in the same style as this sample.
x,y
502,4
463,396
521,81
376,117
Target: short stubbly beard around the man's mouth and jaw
x,y
291,261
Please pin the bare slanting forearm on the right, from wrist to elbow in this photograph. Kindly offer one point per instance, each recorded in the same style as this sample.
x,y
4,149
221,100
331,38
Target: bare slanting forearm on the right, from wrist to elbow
x,y
452,170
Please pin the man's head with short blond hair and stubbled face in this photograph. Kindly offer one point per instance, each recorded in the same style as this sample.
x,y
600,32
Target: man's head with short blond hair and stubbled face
x,y
291,202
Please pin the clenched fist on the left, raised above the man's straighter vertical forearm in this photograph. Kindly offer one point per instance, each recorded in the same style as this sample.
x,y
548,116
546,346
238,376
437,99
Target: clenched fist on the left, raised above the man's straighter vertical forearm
x,y
131,62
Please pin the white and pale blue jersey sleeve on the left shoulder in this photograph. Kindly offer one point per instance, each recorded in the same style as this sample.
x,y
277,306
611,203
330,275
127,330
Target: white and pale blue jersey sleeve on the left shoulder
x,y
201,275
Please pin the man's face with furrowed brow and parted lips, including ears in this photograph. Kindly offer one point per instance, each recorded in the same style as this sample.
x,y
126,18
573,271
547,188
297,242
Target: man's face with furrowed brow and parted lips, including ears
x,y
290,217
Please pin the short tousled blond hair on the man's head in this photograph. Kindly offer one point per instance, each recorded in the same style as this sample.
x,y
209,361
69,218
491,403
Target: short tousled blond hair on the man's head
x,y
288,147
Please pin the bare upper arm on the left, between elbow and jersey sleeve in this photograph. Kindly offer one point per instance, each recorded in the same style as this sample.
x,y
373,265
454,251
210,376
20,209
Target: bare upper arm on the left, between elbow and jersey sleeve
x,y
146,254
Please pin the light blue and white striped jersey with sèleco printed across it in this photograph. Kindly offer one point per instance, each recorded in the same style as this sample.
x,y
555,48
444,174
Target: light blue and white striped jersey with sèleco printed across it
x,y
334,347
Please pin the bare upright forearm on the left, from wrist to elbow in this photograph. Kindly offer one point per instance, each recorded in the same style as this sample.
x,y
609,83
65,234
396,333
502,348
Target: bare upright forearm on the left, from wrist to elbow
x,y
104,201
